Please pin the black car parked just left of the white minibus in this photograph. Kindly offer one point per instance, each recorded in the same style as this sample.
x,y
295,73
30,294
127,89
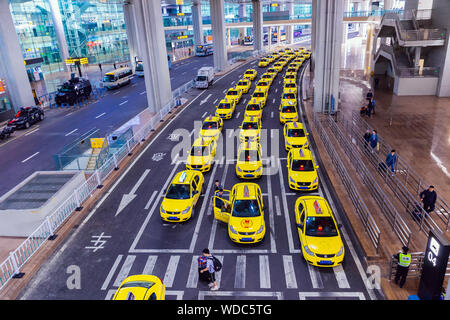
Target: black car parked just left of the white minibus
x,y
72,90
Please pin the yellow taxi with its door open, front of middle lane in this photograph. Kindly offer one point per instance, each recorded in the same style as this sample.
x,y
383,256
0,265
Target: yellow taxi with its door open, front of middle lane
x,y
243,212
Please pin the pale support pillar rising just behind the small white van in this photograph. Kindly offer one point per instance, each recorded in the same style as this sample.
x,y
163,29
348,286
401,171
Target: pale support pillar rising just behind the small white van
x,y
218,33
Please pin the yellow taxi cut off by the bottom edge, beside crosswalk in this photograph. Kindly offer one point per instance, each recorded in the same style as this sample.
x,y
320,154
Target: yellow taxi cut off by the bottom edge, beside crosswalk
x,y
141,287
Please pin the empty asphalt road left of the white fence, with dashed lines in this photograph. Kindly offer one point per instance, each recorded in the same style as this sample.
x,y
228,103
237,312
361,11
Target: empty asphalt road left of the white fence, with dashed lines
x,y
23,154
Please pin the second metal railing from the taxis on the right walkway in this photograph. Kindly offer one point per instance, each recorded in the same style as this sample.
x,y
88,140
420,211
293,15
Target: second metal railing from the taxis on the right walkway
x,y
399,226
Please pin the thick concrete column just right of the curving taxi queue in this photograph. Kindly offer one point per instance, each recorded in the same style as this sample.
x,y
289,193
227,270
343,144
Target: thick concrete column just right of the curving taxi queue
x,y
327,51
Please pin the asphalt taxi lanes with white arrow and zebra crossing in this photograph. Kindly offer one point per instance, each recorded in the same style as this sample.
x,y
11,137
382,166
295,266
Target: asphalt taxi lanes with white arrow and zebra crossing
x,y
106,247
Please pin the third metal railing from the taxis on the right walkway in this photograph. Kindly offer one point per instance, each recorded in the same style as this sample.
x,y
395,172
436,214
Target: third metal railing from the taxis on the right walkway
x,y
410,203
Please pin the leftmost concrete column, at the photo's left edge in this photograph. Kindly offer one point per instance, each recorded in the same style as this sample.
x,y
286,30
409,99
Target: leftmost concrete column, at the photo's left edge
x,y
11,61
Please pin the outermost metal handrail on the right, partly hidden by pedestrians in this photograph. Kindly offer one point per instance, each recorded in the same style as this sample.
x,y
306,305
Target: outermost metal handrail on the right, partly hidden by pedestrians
x,y
405,173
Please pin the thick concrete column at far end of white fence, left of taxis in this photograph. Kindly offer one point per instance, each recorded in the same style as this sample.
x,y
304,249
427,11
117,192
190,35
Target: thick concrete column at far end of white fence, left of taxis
x,y
148,17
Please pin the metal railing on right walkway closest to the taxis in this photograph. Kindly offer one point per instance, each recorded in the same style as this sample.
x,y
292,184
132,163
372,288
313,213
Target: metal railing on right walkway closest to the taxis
x,y
361,209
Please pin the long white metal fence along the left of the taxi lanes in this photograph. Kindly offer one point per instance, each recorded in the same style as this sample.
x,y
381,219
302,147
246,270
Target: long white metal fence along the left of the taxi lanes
x,y
10,267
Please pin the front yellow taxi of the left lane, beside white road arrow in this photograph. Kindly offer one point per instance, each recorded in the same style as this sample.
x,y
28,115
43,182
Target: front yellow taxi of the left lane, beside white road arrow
x,y
181,196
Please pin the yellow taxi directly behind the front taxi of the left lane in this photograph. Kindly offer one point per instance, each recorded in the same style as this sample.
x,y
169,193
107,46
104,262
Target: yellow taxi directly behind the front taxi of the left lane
x,y
201,155
